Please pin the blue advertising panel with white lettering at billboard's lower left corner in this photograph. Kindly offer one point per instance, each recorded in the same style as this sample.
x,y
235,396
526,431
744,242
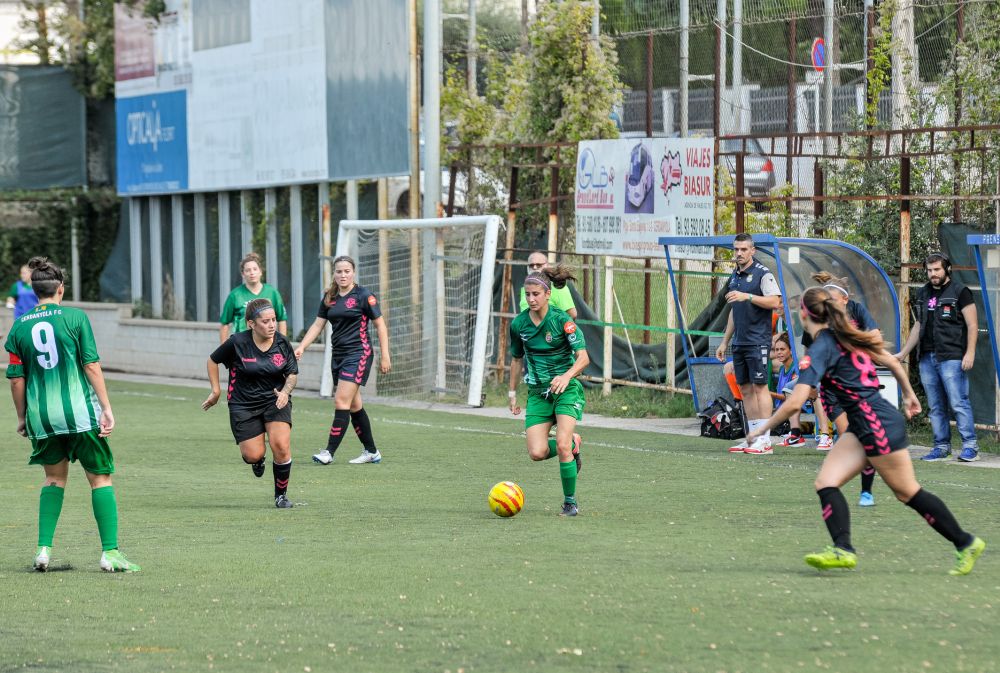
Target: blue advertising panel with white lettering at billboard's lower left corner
x,y
151,143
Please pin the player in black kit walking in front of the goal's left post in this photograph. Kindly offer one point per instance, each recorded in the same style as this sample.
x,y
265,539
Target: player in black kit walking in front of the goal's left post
x,y
351,310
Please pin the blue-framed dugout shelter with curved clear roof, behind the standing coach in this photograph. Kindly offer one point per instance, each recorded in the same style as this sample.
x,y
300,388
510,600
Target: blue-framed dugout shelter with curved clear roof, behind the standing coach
x,y
792,261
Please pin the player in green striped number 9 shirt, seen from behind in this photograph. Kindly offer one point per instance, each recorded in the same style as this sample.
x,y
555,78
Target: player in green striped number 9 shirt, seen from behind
x,y
62,406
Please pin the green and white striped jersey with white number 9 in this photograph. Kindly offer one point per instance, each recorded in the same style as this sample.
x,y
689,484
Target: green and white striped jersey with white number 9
x,y
48,348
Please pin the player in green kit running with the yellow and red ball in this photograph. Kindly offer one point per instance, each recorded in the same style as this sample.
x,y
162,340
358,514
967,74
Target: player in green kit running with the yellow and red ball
x,y
545,341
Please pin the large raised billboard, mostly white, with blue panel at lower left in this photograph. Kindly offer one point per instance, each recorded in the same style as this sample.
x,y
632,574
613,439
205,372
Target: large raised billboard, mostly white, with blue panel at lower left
x,y
275,93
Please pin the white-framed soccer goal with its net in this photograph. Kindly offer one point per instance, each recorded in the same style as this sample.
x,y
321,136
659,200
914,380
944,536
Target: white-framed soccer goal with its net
x,y
434,282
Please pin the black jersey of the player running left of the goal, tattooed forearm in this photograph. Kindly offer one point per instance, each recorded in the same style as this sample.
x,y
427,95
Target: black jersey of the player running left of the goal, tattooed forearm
x,y
254,374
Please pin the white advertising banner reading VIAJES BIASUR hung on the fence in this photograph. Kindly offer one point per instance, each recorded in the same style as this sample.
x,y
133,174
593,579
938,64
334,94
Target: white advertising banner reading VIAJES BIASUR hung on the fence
x,y
632,191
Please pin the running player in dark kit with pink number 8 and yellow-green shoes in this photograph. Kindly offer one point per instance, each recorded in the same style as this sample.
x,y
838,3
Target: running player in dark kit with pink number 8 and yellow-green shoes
x,y
843,358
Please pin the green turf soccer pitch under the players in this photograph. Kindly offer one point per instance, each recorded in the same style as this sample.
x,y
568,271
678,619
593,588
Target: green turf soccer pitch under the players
x,y
683,558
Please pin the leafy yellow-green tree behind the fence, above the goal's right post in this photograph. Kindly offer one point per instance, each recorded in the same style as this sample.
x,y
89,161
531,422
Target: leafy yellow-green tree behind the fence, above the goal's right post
x,y
562,89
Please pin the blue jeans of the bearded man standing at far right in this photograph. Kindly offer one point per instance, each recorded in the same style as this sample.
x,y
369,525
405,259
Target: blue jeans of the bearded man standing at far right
x,y
946,386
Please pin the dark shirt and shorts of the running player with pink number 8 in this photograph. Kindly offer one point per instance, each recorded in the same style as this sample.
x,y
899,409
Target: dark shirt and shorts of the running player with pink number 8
x,y
850,379
